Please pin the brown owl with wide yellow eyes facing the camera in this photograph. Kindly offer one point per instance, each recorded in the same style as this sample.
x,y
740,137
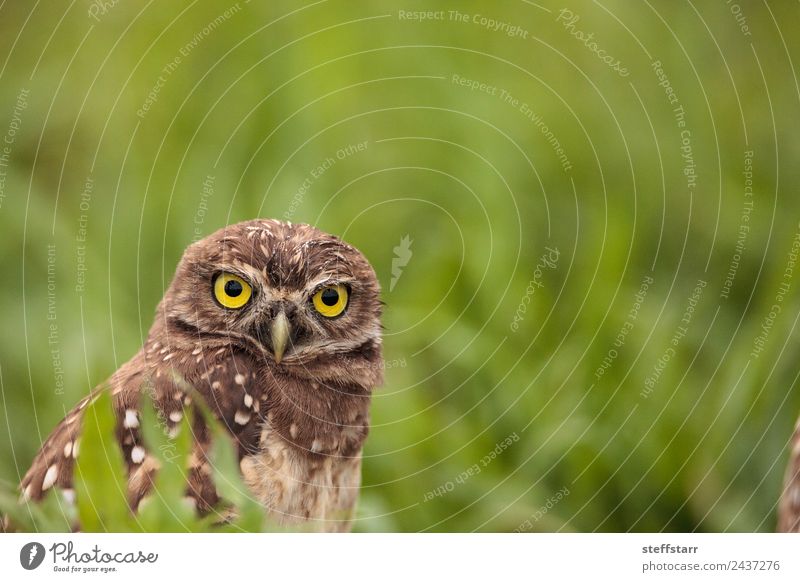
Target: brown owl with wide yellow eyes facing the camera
x,y
276,326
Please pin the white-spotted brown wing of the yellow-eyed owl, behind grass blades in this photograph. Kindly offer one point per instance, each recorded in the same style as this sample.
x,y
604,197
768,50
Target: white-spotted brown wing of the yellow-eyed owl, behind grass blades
x,y
225,381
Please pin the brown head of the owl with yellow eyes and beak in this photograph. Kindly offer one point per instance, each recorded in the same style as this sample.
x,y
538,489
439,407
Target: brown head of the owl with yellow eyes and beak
x,y
287,292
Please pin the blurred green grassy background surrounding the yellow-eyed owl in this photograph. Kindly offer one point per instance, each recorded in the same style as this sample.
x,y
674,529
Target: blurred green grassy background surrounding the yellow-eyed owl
x,y
244,110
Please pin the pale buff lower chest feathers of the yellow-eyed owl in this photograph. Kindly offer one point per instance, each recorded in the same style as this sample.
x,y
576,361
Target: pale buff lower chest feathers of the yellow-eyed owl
x,y
296,487
